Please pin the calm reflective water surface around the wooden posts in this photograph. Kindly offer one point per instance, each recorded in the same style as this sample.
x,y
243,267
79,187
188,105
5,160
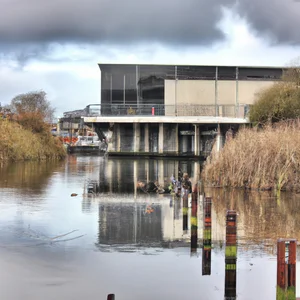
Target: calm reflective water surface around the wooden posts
x,y
54,246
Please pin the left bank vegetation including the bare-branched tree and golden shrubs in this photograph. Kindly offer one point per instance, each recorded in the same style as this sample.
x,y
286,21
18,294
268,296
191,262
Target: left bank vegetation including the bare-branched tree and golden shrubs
x,y
25,130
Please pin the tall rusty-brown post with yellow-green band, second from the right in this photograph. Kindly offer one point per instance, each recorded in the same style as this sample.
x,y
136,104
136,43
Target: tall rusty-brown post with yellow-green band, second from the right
x,y
230,255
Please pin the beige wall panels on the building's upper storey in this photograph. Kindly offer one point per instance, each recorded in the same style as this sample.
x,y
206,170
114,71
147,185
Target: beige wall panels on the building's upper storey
x,y
203,92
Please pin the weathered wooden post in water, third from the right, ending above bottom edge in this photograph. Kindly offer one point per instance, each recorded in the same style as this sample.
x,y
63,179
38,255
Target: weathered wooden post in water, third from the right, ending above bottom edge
x,y
206,251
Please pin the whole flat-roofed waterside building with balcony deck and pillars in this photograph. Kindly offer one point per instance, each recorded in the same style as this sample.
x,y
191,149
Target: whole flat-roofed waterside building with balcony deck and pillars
x,y
172,110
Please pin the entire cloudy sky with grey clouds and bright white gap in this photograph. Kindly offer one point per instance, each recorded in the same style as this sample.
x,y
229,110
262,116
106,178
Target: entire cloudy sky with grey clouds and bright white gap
x,y
56,45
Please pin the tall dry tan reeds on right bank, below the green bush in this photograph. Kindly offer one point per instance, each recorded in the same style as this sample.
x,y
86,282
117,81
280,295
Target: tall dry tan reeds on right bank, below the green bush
x,y
267,158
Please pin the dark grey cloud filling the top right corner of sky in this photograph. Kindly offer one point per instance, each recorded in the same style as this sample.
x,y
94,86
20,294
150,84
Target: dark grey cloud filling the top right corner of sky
x,y
278,20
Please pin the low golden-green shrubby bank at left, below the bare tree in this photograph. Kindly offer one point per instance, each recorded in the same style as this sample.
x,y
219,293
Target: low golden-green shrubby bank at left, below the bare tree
x,y
19,144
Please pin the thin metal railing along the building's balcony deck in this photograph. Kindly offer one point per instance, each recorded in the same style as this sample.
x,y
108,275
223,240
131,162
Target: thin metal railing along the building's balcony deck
x,y
233,111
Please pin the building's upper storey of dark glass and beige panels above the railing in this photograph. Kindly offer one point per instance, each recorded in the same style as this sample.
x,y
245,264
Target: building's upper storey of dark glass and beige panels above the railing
x,y
176,86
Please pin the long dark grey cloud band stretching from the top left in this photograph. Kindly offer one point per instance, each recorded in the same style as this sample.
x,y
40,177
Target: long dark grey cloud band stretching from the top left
x,y
190,22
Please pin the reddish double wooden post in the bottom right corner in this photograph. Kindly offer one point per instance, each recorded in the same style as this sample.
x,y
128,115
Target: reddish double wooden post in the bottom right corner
x,y
286,269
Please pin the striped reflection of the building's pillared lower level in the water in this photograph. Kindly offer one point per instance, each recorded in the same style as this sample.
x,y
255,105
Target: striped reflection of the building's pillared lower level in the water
x,y
123,176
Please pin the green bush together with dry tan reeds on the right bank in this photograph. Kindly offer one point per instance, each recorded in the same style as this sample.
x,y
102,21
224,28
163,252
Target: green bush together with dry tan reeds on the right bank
x,y
266,157
